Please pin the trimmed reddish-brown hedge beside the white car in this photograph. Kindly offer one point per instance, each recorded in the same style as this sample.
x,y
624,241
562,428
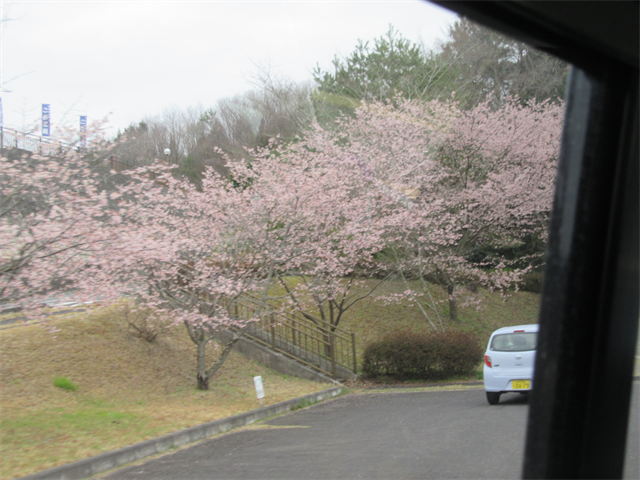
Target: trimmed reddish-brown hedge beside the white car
x,y
419,356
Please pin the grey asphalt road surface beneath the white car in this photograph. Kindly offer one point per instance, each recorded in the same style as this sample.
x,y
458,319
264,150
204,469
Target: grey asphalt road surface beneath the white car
x,y
400,435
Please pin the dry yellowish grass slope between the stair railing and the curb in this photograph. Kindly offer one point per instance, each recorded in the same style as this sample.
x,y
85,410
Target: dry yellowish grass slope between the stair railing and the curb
x,y
128,390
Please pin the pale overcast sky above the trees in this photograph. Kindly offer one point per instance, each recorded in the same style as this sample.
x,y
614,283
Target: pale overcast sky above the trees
x,y
131,59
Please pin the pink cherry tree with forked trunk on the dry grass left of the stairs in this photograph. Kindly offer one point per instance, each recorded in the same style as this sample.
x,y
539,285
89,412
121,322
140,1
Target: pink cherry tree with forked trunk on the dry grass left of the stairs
x,y
188,252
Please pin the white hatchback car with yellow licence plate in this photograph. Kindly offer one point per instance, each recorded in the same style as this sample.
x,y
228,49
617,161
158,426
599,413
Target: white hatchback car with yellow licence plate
x,y
509,361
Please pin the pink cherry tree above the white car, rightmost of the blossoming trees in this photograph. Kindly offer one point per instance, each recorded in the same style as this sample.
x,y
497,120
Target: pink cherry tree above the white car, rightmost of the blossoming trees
x,y
497,176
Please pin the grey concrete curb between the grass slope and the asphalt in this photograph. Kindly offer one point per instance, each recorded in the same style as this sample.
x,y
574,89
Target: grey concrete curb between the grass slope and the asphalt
x,y
106,461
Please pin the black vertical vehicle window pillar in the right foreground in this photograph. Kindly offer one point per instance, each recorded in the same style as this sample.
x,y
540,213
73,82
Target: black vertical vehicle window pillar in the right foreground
x,y
589,308
